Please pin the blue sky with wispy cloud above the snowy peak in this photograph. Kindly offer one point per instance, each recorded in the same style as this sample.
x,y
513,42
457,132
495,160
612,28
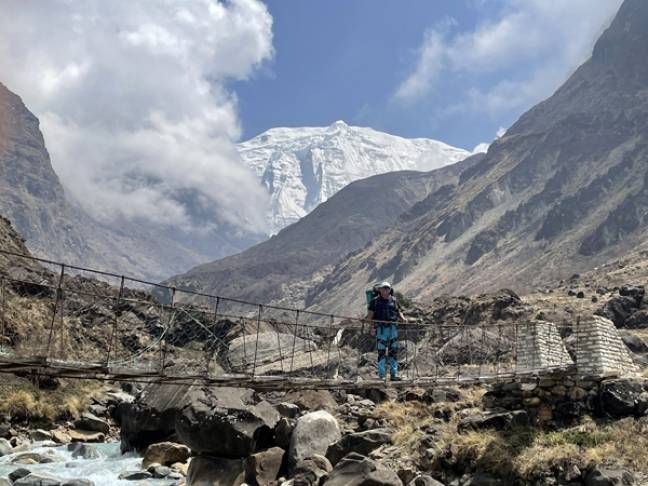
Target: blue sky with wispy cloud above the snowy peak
x,y
453,70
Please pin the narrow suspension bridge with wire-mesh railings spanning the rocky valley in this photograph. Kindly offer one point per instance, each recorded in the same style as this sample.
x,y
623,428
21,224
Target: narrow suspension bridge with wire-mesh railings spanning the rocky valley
x,y
69,321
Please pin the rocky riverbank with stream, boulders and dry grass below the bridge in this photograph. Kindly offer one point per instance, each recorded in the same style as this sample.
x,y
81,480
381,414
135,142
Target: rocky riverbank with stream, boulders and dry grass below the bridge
x,y
455,436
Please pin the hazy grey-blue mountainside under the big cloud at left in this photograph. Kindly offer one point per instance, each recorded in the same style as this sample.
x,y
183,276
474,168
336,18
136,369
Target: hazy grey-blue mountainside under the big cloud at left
x,y
32,196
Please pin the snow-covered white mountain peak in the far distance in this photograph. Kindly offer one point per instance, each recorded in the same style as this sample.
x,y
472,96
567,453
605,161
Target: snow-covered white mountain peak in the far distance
x,y
302,167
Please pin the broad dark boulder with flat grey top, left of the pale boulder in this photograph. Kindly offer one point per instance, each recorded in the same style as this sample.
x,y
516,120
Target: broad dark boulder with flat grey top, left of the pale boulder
x,y
226,423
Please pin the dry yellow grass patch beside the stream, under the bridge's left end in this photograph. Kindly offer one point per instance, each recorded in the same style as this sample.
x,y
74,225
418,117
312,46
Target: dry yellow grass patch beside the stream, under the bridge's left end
x,y
23,400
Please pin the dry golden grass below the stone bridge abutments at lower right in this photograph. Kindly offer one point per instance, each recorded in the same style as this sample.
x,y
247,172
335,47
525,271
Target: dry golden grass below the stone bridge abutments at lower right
x,y
525,453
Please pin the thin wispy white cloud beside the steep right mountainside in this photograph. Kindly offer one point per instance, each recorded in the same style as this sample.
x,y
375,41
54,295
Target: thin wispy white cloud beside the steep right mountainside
x,y
549,38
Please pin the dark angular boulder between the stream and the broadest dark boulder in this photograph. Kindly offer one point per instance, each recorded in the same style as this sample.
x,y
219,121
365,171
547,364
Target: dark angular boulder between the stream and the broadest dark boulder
x,y
151,417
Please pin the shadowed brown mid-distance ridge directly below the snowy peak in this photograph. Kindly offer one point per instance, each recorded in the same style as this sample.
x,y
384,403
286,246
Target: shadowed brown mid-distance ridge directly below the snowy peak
x,y
358,214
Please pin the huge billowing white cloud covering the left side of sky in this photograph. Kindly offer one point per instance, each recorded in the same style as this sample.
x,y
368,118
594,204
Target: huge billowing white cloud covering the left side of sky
x,y
134,102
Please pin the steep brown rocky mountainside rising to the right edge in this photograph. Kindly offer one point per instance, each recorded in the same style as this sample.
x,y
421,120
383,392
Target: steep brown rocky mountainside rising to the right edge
x,y
565,189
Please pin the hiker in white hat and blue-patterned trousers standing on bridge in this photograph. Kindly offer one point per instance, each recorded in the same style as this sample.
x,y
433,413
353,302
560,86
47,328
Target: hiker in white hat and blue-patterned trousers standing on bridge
x,y
384,310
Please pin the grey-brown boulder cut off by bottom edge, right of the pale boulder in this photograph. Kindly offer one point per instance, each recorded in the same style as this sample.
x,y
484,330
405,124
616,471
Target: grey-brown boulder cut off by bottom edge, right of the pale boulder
x,y
357,470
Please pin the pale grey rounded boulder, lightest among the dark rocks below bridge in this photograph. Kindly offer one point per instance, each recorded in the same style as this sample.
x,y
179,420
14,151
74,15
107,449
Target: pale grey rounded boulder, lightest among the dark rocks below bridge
x,y
313,434
